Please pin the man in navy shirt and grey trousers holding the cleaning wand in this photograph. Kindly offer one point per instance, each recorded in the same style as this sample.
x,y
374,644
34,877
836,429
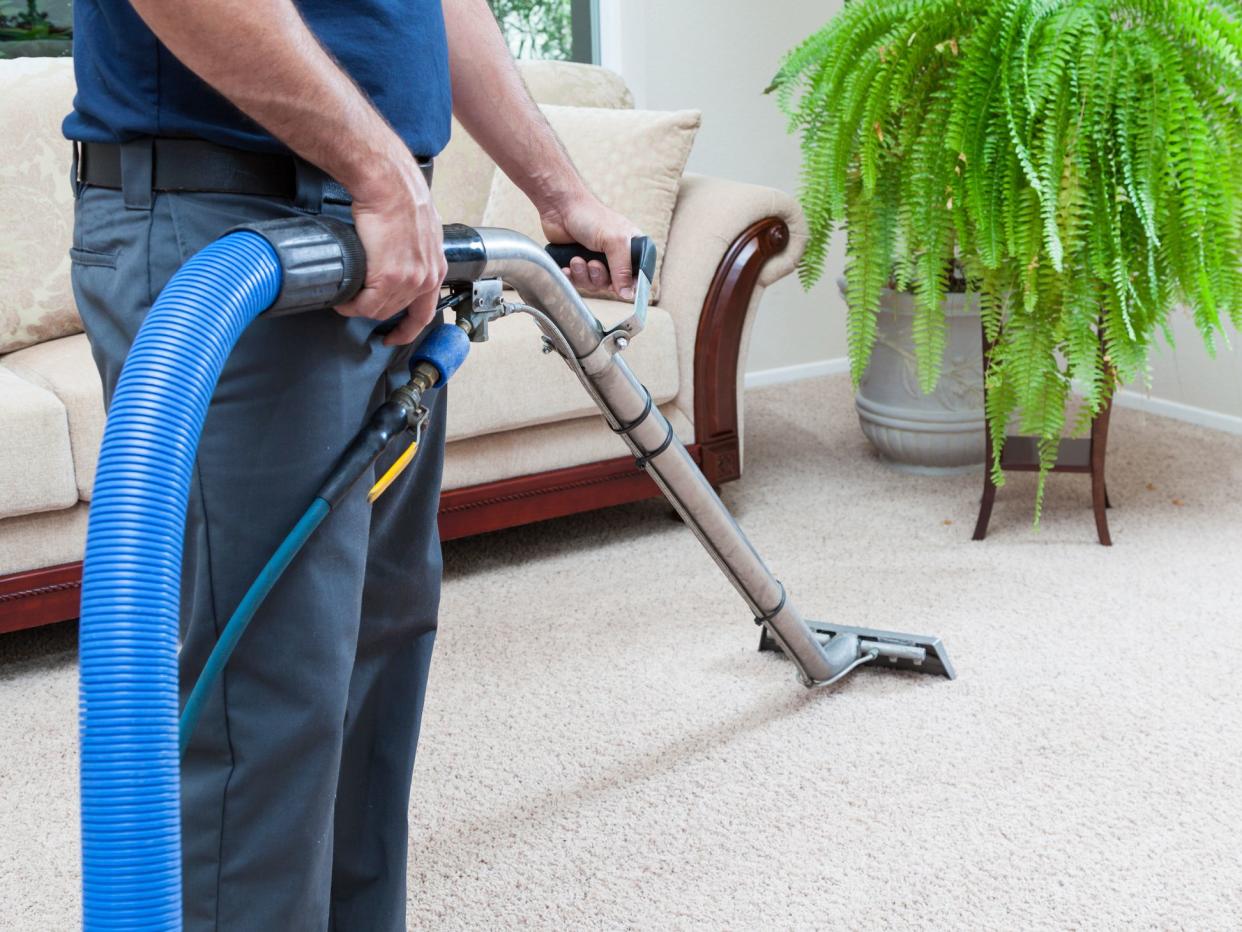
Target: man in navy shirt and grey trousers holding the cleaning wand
x,y
193,116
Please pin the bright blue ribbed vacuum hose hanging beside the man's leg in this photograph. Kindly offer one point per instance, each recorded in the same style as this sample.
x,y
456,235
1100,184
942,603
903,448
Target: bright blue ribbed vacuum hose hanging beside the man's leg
x,y
131,587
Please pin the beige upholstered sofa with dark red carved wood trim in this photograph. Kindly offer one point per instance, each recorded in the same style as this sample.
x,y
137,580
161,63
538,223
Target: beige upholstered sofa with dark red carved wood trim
x,y
525,442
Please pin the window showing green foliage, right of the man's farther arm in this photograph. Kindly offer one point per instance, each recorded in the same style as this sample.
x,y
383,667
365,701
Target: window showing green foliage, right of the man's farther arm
x,y
566,30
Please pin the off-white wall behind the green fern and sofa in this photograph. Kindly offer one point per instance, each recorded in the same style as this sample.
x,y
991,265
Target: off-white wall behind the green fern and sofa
x,y
718,57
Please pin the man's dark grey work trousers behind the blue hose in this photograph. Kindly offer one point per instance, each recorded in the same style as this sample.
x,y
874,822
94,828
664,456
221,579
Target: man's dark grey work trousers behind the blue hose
x,y
296,787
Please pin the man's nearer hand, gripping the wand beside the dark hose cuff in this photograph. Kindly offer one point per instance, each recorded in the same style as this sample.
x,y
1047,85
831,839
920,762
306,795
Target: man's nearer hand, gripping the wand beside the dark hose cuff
x,y
406,253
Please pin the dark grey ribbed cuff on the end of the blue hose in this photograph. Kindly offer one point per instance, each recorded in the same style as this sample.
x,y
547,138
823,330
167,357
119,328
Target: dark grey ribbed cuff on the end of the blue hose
x,y
322,259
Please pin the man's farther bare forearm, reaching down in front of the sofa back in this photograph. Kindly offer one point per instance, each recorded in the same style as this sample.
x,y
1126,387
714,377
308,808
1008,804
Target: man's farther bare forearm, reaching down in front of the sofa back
x,y
492,103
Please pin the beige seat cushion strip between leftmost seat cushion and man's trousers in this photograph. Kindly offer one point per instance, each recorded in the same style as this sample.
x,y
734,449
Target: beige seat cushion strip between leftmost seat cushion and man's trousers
x,y
65,368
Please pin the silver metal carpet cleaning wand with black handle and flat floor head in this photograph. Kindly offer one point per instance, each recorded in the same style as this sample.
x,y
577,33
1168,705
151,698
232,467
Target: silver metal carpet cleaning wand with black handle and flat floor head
x,y
823,653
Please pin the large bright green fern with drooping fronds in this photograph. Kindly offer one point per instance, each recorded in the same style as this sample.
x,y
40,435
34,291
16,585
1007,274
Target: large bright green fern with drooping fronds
x,y
1079,160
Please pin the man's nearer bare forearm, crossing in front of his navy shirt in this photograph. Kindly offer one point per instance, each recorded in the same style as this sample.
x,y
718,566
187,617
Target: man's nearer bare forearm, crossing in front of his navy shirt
x,y
265,60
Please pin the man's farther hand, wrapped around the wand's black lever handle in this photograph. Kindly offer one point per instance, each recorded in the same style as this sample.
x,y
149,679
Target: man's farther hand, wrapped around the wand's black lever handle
x,y
584,219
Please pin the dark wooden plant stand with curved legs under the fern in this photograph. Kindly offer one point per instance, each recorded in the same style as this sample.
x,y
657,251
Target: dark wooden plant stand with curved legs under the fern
x,y
1022,454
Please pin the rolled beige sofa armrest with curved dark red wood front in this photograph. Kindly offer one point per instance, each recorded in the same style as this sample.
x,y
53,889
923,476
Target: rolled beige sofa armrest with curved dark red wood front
x,y
727,244
